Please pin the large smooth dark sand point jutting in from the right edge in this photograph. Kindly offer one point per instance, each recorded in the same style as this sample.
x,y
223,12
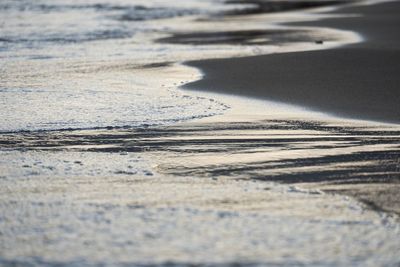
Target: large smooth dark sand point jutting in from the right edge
x,y
357,81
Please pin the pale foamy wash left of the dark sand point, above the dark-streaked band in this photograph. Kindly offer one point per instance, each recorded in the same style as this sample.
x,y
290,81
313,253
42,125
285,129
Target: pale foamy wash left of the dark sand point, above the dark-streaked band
x,y
91,64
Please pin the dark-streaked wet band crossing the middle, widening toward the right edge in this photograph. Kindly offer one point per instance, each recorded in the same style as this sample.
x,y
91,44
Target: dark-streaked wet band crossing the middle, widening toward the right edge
x,y
353,159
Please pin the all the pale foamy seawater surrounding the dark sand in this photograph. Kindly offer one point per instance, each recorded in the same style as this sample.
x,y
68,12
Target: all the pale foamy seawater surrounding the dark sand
x,y
94,170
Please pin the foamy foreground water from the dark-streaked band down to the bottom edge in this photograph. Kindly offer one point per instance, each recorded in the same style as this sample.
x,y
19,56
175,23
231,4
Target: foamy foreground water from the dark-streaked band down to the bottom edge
x,y
199,193
